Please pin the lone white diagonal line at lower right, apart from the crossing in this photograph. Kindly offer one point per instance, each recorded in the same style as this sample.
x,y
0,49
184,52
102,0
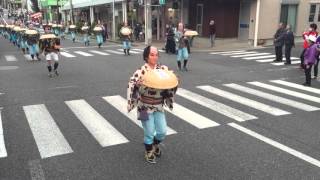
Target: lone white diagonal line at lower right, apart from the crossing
x,y
276,144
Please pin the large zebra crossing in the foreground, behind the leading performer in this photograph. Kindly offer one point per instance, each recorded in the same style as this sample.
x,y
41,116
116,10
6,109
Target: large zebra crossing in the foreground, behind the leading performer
x,y
51,141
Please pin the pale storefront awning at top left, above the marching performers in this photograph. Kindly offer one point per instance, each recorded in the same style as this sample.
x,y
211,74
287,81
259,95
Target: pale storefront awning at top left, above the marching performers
x,y
86,3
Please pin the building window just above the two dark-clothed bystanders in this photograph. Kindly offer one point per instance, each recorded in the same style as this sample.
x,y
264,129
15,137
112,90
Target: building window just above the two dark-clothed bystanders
x,y
289,15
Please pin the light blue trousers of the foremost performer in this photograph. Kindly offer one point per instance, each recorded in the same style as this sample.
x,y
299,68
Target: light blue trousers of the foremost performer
x,y
154,127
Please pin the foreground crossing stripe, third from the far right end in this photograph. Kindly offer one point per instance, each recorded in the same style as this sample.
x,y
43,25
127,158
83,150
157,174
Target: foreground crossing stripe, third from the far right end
x,y
272,97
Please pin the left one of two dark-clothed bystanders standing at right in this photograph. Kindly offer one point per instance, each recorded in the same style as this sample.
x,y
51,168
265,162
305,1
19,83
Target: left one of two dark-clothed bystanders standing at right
x,y
279,42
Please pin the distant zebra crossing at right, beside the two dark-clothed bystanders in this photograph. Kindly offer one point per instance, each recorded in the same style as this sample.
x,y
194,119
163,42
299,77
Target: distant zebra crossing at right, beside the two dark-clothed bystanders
x,y
261,57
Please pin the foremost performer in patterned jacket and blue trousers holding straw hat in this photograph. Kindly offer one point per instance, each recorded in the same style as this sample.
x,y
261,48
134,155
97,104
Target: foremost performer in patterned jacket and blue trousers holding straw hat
x,y
150,89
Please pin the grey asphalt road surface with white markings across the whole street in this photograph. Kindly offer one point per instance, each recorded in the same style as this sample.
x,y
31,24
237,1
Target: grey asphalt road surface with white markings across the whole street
x,y
245,140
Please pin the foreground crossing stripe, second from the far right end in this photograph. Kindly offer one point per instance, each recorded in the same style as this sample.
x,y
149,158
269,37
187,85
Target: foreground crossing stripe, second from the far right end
x,y
286,91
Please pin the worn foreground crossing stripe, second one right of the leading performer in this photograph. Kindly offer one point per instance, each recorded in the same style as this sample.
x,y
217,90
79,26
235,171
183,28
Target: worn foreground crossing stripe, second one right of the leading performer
x,y
216,106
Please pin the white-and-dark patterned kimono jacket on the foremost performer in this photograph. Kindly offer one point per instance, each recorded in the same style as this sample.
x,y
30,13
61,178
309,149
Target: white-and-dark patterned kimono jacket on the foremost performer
x,y
148,100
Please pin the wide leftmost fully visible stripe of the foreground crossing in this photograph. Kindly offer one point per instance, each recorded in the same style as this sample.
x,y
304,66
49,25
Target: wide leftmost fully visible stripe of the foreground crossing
x,y
48,137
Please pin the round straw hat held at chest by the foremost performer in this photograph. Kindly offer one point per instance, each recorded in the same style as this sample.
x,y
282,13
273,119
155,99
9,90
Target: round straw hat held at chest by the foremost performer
x,y
160,79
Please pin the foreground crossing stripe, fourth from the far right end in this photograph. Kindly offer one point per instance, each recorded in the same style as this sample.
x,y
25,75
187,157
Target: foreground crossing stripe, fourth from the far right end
x,y
245,101
